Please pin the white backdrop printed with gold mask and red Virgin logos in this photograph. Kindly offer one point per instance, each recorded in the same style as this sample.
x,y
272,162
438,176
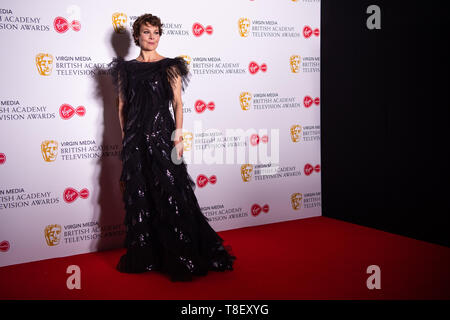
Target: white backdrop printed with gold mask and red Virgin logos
x,y
251,116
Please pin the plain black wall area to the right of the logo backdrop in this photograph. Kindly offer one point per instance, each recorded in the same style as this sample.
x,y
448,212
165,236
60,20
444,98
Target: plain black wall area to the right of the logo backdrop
x,y
384,117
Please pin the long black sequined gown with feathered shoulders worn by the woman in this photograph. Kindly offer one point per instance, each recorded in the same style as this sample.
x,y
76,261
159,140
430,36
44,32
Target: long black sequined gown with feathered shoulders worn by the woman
x,y
166,230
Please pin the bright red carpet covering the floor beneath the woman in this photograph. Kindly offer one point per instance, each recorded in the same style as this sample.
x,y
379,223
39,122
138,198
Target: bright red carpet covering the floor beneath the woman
x,y
315,258
